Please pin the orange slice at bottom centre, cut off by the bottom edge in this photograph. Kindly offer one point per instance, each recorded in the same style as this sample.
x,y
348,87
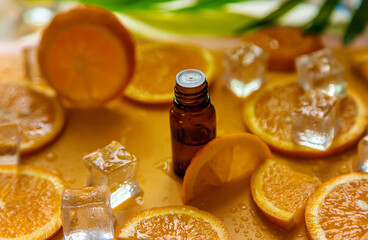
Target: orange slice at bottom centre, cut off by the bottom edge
x,y
179,222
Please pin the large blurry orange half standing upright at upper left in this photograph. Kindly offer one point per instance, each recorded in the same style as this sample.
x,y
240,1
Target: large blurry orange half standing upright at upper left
x,y
87,55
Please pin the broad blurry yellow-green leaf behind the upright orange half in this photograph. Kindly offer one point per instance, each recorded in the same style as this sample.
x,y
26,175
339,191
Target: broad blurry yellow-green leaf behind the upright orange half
x,y
197,23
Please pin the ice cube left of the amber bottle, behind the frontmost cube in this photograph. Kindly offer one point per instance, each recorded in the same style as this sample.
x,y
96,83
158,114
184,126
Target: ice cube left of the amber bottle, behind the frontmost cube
x,y
114,166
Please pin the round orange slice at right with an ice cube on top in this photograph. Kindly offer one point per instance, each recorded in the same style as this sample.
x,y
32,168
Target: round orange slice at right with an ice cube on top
x,y
267,114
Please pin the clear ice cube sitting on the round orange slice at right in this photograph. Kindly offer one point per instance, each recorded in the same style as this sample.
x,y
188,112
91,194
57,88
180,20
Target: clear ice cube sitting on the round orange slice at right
x,y
315,120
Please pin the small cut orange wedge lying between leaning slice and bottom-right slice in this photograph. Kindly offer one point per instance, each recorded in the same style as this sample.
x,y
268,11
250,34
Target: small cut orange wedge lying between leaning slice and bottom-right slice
x,y
281,193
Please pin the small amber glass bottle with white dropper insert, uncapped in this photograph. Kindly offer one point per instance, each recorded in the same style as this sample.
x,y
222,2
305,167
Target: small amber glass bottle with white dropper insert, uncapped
x,y
192,118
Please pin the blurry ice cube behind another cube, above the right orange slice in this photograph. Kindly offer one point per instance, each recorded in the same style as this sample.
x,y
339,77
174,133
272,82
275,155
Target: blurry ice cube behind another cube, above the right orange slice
x,y
321,71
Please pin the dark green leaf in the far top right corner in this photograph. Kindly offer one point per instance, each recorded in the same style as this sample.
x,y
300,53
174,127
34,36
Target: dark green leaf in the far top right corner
x,y
357,23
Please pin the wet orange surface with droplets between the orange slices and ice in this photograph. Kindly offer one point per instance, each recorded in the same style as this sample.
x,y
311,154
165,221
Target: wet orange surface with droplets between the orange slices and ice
x,y
145,132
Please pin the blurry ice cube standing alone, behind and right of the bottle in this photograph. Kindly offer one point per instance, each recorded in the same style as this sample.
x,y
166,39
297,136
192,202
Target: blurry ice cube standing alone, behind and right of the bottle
x,y
244,68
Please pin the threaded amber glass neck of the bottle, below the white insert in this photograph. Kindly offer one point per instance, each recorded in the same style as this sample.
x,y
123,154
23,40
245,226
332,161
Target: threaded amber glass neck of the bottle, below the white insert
x,y
192,97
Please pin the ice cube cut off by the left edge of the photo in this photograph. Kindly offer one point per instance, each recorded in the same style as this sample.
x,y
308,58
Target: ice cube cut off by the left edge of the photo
x,y
9,144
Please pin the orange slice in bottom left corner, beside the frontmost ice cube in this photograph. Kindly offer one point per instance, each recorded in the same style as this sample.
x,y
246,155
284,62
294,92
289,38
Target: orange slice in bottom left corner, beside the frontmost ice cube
x,y
30,201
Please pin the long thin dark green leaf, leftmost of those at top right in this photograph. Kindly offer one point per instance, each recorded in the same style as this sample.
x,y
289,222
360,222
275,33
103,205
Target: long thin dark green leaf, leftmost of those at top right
x,y
270,18
